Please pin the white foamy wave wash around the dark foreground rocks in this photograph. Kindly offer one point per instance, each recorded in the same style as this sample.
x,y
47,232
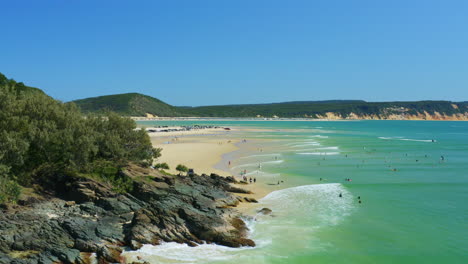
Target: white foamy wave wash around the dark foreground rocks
x,y
318,205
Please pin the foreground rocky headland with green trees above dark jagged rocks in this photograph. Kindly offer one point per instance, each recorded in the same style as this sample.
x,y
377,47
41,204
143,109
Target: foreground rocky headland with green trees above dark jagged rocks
x,y
78,188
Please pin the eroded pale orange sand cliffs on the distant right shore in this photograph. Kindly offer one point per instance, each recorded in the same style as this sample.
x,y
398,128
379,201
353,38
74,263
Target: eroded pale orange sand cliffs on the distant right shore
x,y
397,116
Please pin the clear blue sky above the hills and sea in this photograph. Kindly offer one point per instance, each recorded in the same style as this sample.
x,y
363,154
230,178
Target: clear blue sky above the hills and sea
x,y
206,52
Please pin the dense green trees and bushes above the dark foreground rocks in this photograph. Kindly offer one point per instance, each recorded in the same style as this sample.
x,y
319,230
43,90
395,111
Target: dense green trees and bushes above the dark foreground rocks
x,y
41,138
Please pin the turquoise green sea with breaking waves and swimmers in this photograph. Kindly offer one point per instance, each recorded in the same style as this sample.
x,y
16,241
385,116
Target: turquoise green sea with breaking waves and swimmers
x,y
411,176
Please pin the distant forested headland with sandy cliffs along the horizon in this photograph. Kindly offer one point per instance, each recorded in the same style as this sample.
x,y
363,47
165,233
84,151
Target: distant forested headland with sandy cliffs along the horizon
x,y
142,105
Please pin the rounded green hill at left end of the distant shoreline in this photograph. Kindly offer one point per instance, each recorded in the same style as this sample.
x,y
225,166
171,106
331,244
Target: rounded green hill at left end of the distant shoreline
x,y
130,104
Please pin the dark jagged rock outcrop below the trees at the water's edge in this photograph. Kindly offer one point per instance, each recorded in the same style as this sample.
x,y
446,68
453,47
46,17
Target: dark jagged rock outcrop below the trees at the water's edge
x,y
85,218
